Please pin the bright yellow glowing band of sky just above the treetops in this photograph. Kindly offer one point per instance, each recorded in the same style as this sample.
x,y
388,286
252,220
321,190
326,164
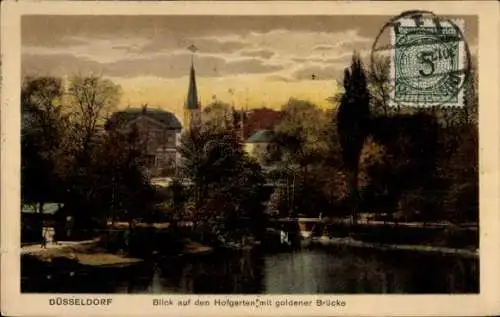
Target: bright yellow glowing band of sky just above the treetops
x,y
252,91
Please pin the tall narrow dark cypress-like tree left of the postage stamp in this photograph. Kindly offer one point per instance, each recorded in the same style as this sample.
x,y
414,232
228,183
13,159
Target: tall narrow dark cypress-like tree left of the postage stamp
x,y
353,118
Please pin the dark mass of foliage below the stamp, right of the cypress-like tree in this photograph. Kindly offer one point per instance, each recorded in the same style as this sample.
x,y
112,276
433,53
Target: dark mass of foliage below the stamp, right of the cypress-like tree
x,y
419,170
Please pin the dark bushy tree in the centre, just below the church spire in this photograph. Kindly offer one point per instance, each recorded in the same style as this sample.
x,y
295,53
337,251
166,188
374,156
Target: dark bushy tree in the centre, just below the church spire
x,y
226,182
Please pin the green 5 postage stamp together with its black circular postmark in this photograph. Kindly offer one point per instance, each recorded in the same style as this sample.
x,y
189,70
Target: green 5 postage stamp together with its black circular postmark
x,y
428,56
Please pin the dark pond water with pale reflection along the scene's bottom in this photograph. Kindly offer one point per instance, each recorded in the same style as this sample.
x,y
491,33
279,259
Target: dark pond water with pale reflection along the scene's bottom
x,y
347,271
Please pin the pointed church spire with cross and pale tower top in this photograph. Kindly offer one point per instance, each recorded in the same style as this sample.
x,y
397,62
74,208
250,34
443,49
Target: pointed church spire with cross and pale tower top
x,y
192,108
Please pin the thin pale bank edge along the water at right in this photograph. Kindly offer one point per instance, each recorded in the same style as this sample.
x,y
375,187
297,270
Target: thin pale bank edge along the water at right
x,y
349,242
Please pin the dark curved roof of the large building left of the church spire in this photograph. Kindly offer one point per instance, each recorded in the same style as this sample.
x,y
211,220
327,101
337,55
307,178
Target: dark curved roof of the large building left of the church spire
x,y
125,116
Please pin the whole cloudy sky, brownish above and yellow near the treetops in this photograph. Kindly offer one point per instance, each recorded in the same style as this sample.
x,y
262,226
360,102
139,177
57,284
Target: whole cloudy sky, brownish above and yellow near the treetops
x,y
250,61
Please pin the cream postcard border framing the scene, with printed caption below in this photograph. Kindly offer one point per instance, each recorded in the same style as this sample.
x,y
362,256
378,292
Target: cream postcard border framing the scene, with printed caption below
x,y
15,304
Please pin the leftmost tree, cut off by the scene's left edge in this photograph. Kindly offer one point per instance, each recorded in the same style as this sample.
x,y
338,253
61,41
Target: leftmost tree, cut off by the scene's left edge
x,y
43,132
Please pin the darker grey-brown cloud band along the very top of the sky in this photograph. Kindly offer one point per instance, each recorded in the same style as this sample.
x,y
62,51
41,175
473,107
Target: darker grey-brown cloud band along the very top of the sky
x,y
42,29
